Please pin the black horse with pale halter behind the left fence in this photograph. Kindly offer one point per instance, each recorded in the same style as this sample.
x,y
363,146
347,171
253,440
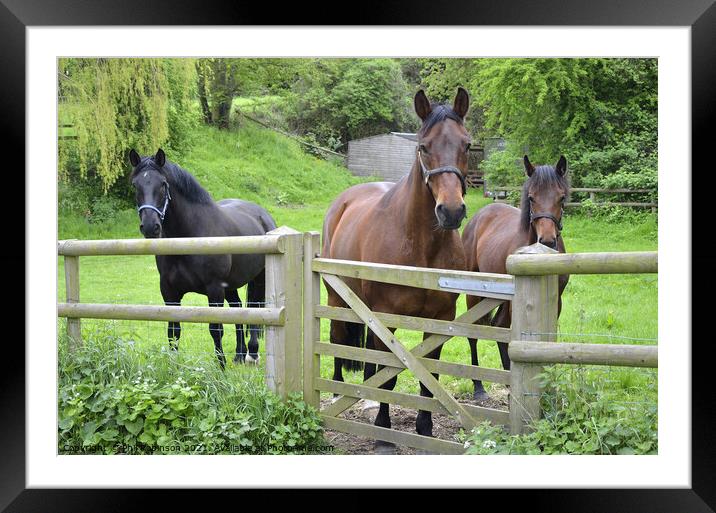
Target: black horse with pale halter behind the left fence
x,y
171,203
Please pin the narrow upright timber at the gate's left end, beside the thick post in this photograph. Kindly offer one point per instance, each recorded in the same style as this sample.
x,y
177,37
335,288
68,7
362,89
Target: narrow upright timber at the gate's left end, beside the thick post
x,y
311,323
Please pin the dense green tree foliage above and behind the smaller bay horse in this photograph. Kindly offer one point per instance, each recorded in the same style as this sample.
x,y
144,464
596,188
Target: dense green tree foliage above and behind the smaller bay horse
x,y
600,113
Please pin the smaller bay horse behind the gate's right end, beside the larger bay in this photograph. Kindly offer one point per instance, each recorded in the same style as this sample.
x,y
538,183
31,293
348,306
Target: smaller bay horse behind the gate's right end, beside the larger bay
x,y
498,230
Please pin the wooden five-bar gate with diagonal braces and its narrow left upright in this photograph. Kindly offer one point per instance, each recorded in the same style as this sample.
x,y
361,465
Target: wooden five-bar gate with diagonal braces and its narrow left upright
x,y
494,288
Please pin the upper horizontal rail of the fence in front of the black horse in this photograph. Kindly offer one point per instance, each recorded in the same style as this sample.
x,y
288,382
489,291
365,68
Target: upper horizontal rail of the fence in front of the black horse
x,y
253,244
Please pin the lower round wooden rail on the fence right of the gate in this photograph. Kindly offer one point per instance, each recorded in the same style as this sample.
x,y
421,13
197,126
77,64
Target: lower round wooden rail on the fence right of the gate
x,y
584,354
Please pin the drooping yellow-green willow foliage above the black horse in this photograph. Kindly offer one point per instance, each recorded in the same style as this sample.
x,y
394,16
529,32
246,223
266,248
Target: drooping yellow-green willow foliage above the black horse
x,y
112,105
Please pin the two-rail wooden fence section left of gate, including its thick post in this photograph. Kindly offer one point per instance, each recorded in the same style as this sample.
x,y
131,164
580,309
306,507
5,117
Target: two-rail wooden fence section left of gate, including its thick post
x,y
283,248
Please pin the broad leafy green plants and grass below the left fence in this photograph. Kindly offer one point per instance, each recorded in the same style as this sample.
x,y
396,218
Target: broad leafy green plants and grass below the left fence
x,y
114,398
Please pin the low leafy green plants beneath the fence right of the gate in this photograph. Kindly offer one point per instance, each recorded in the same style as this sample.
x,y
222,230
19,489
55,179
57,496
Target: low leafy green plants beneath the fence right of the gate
x,y
580,417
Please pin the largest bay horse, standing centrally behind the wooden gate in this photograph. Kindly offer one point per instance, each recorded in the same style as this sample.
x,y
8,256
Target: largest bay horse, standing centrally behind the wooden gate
x,y
411,222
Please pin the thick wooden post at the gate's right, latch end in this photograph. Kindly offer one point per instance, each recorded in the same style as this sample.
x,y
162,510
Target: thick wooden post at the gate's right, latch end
x,y
534,317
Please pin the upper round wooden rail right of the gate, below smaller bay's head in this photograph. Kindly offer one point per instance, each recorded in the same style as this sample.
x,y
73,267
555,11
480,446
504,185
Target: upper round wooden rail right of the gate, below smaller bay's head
x,y
583,263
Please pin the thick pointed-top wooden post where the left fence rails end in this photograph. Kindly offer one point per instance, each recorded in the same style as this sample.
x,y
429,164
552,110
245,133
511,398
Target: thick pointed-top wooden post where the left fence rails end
x,y
283,289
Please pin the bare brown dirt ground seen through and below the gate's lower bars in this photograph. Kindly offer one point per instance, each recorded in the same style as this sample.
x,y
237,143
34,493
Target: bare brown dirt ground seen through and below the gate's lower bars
x,y
403,419
